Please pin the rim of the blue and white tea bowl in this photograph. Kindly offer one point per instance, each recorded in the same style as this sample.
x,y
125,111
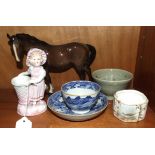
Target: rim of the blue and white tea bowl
x,y
96,92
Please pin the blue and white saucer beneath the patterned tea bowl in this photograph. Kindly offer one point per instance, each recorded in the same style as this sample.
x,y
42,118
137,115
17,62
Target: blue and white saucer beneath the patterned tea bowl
x,y
56,104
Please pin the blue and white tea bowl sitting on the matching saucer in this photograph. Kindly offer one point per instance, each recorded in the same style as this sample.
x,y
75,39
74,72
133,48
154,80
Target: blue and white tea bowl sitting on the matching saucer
x,y
80,96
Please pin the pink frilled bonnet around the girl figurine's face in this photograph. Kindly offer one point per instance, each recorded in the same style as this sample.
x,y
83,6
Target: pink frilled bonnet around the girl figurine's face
x,y
38,51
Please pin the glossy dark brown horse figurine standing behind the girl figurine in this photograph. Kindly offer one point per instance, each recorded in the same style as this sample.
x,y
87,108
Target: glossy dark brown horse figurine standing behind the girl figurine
x,y
59,57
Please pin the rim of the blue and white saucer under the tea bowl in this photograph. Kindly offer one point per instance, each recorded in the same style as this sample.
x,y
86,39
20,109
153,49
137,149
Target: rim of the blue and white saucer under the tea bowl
x,y
76,114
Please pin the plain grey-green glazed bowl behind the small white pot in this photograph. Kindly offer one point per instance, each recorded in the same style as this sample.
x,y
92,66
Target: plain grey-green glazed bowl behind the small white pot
x,y
112,80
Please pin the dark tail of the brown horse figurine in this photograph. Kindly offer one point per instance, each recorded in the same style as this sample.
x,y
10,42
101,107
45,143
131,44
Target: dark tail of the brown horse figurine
x,y
92,54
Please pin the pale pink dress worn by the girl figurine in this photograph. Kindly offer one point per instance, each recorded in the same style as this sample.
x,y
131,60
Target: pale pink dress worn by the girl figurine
x,y
36,91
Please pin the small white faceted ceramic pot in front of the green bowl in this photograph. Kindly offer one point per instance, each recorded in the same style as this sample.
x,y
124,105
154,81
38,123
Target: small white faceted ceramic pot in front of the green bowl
x,y
130,105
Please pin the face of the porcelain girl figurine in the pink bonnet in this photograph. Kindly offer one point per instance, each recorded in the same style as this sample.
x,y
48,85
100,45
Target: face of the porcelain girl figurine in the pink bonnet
x,y
35,59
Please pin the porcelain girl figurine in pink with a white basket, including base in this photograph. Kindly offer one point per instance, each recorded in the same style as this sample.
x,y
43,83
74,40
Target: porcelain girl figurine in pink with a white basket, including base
x,y
30,85
